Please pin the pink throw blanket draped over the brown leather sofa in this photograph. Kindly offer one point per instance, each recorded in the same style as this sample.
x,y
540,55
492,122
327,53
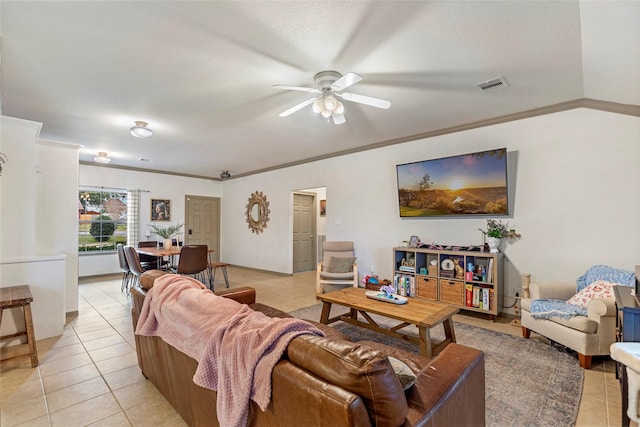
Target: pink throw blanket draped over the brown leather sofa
x,y
236,347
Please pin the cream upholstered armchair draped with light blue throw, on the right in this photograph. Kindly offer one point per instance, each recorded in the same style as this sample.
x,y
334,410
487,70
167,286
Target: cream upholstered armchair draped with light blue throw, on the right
x,y
590,335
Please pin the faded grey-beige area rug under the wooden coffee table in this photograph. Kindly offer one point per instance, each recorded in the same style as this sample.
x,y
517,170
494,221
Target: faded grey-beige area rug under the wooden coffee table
x,y
528,383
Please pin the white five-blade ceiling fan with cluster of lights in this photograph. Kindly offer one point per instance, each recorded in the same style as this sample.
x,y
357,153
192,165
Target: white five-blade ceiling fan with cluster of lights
x,y
331,85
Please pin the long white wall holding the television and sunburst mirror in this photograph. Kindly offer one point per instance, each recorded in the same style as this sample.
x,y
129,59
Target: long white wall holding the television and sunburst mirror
x,y
577,181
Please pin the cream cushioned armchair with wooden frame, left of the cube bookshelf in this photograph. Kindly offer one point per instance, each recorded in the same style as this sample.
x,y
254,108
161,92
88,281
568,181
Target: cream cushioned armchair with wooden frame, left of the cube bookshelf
x,y
338,266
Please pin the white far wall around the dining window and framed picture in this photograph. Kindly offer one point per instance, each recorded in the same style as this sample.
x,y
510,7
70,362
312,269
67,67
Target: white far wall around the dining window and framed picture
x,y
156,186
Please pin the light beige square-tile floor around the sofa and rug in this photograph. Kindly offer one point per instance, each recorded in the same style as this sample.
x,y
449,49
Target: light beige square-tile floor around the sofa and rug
x,y
90,376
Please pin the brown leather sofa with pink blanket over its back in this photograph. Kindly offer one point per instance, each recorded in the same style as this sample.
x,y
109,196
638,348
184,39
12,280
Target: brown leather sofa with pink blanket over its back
x,y
328,381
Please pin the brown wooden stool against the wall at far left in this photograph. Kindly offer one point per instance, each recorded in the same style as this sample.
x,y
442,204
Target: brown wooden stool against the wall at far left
x,y
20,296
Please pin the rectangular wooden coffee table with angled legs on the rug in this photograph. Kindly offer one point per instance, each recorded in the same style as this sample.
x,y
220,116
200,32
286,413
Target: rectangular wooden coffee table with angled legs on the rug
x,y
424,314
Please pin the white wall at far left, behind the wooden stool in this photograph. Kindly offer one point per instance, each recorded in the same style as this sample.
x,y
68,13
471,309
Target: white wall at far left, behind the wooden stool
x,y
38,224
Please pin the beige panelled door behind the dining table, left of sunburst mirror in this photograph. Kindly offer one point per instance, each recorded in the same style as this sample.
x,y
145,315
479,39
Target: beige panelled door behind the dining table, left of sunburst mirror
x,y
202,223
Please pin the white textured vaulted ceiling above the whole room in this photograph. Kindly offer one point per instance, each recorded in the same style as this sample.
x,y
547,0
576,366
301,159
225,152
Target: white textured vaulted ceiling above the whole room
x,y
200,73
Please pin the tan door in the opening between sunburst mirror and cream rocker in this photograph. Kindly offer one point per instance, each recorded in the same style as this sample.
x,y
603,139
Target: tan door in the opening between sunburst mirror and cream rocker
x,y
304,232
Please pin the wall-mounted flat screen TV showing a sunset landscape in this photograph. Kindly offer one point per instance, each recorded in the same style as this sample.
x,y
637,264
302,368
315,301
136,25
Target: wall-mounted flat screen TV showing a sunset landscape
x,y
467,184
